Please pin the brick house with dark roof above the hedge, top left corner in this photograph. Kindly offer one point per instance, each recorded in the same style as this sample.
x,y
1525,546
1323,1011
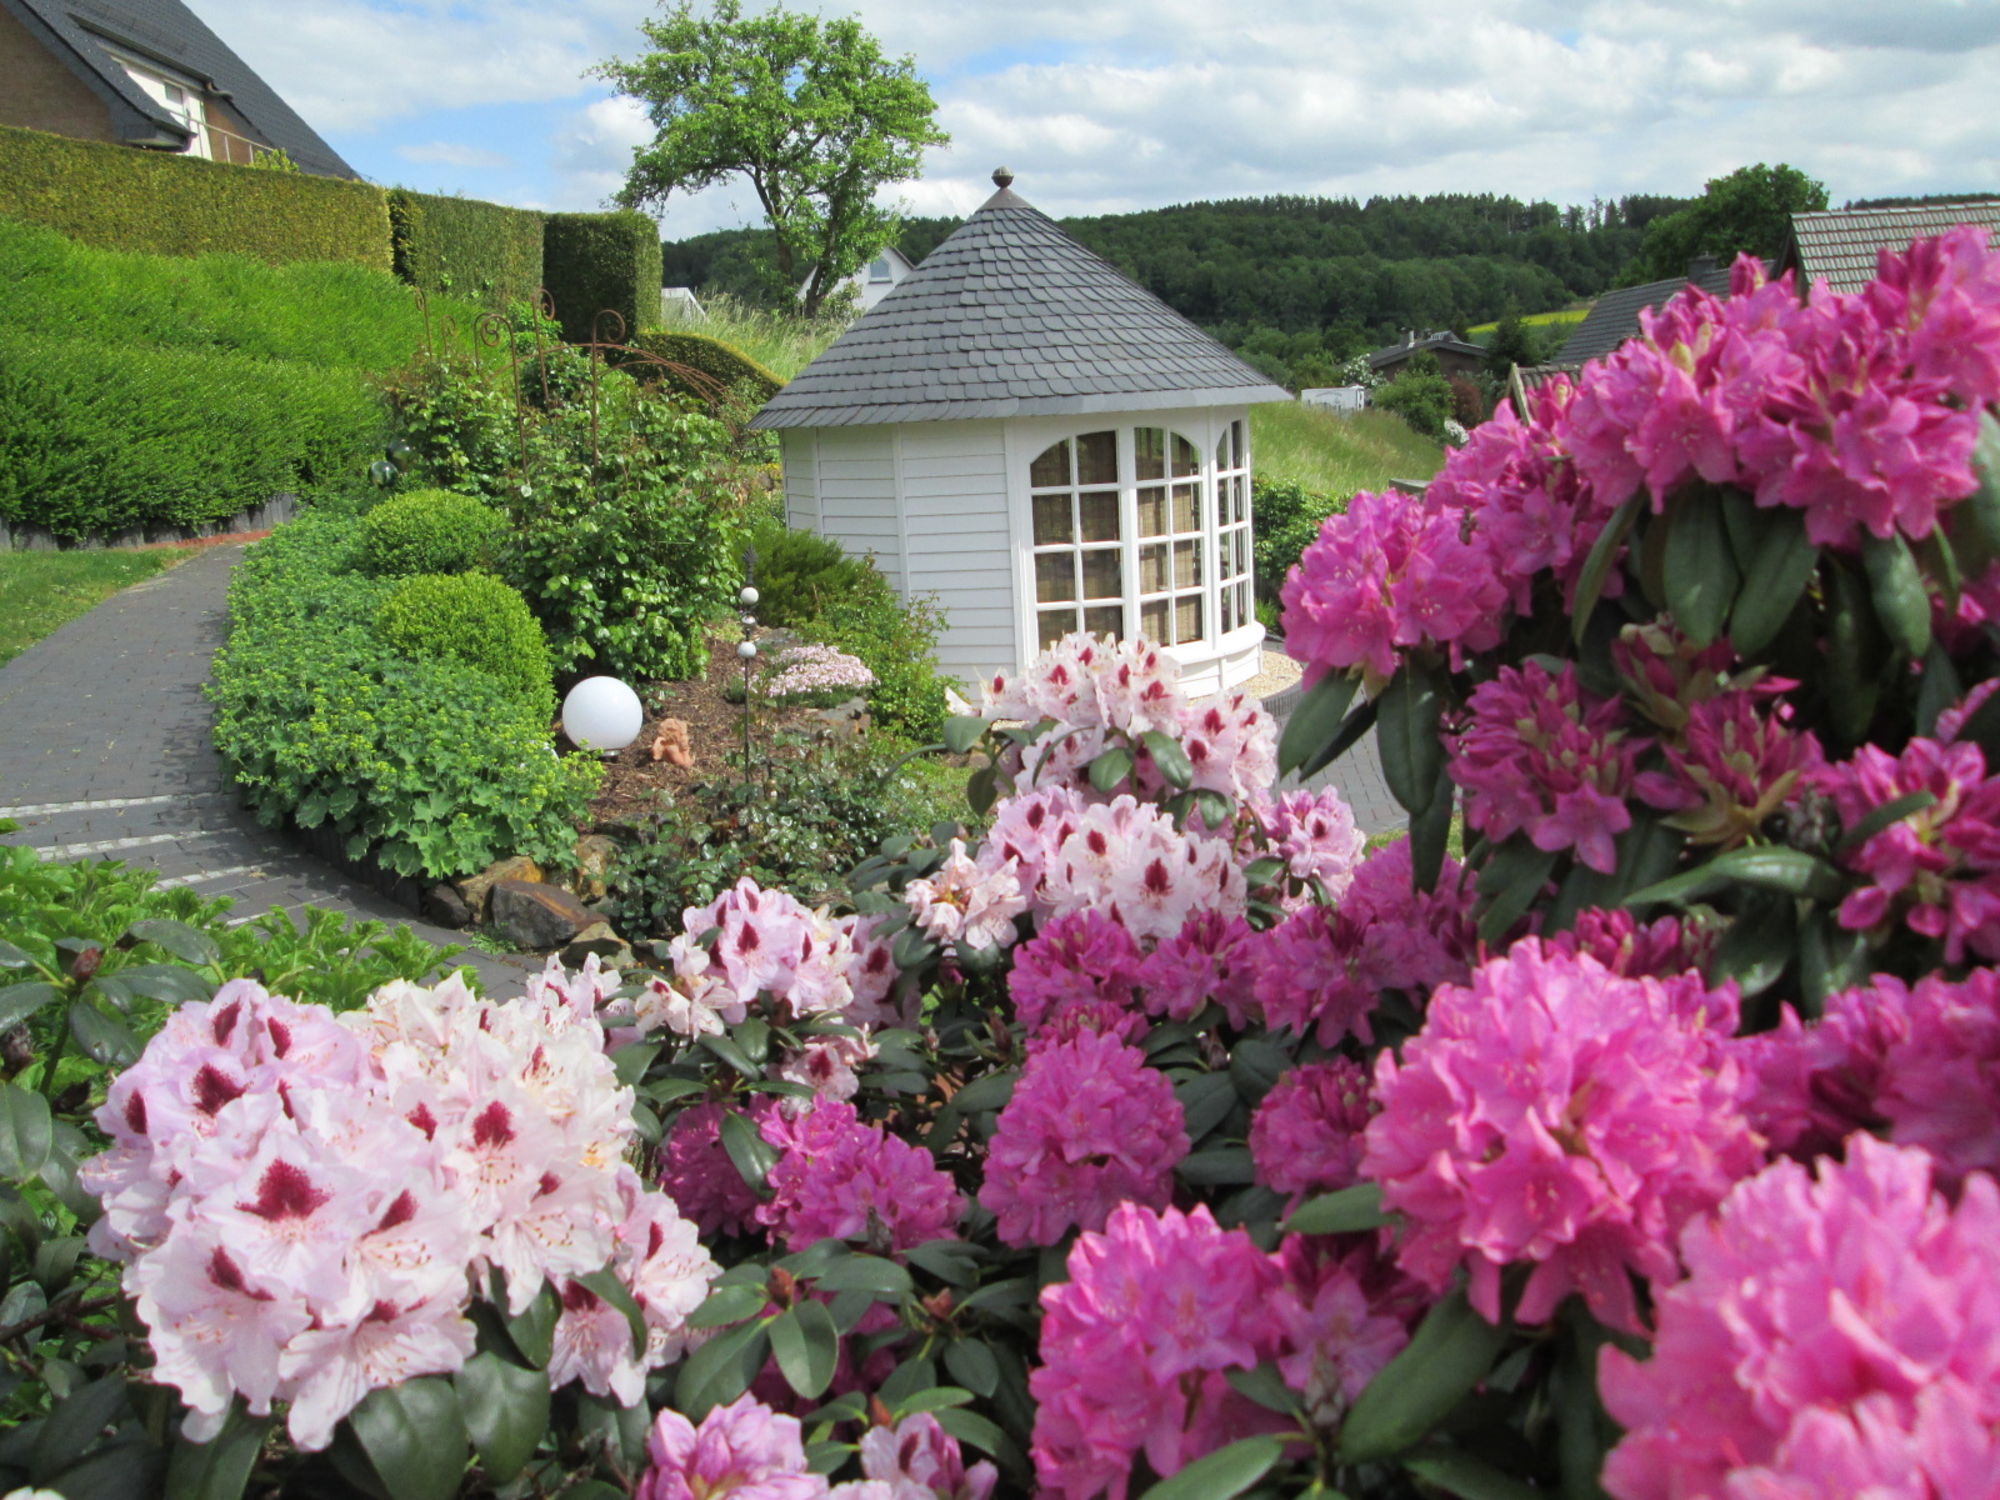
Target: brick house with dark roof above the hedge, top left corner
x,y
145,73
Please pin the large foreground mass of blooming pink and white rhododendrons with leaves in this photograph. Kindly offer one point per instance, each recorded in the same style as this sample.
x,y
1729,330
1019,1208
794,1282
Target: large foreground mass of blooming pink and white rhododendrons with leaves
x,y
1161,1139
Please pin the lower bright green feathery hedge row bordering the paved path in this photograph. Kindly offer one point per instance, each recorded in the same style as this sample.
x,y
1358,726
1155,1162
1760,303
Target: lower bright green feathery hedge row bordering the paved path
x,y
99,439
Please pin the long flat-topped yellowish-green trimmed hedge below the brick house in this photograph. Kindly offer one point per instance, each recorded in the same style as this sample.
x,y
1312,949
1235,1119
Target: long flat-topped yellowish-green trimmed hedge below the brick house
x,y
125,199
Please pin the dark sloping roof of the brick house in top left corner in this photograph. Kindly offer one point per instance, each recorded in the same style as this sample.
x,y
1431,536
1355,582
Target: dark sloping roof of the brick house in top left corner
x,y
167,33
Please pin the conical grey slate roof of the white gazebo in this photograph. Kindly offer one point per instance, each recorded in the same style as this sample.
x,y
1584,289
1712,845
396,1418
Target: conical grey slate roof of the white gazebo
x,y
1011,317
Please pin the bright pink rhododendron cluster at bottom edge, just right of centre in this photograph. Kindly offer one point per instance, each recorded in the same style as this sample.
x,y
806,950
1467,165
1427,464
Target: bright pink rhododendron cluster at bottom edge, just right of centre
x,y
1157,1311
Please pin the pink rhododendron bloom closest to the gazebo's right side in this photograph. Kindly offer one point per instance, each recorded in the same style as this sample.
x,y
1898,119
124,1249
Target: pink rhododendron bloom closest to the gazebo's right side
x,y
1389,575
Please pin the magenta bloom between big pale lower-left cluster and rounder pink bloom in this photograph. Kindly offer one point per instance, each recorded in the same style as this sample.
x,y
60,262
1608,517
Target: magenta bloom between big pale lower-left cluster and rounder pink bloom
x,y
845,1179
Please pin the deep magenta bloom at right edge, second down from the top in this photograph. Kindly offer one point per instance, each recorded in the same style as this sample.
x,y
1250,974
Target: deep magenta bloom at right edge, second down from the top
x,y
1937,869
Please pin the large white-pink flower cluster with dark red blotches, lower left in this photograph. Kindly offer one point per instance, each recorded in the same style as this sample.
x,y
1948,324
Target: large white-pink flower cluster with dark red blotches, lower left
x,y
307,1203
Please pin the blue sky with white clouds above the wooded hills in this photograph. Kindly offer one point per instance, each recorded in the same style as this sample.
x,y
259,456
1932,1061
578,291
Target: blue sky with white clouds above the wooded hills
x,y
1123,105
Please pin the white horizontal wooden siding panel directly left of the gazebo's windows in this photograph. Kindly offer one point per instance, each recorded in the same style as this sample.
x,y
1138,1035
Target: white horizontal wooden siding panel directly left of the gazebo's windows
x,y
961,543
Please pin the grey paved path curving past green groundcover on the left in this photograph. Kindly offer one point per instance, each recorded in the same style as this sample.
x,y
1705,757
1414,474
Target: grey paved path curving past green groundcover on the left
x,y
107,751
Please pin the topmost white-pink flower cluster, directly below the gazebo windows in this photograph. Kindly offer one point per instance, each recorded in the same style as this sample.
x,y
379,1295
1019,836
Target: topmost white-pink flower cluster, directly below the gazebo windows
x,y
1101,693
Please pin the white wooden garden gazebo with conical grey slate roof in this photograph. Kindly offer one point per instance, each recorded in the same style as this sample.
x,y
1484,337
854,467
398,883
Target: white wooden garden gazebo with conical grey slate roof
x,y
1043,445
